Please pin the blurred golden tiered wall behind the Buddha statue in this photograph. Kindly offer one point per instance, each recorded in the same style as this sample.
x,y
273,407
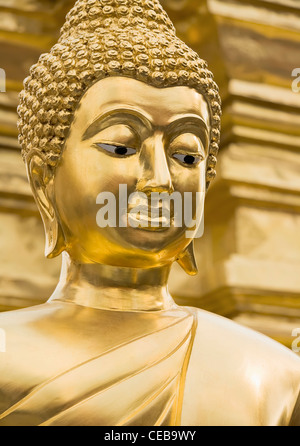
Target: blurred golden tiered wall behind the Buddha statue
x,y
249,257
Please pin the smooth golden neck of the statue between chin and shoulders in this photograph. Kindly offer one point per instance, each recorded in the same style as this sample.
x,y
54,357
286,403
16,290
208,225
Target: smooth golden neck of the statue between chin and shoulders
x,y
113,288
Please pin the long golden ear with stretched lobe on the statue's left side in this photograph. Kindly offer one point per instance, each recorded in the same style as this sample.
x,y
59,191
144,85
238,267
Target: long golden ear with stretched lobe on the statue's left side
x,y
41,179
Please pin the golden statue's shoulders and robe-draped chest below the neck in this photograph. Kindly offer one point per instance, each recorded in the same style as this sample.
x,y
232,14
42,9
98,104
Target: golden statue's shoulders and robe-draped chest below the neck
x,y
67,364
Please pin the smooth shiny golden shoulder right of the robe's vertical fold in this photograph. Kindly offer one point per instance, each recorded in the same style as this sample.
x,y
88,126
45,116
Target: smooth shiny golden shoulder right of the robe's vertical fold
x,y
246,377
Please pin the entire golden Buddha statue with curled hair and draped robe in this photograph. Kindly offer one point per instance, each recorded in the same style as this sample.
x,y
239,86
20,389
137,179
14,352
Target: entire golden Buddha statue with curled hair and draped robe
x,y
120,100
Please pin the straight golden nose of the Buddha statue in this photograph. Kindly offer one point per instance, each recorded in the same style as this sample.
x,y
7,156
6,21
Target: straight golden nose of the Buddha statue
x,y
156,176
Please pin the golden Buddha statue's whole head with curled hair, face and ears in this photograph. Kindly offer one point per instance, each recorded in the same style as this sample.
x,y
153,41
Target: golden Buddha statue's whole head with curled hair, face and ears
x,y
120,100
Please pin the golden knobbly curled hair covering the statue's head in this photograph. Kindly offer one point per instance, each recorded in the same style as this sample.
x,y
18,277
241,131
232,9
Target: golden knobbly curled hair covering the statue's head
x,y
100,38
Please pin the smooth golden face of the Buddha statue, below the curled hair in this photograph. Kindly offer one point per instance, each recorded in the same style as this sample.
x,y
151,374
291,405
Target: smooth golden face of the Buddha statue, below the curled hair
x,y
146,139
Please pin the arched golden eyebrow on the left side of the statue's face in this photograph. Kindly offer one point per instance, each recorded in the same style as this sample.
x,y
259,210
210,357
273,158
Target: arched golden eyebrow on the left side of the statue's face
x,y
112,118
